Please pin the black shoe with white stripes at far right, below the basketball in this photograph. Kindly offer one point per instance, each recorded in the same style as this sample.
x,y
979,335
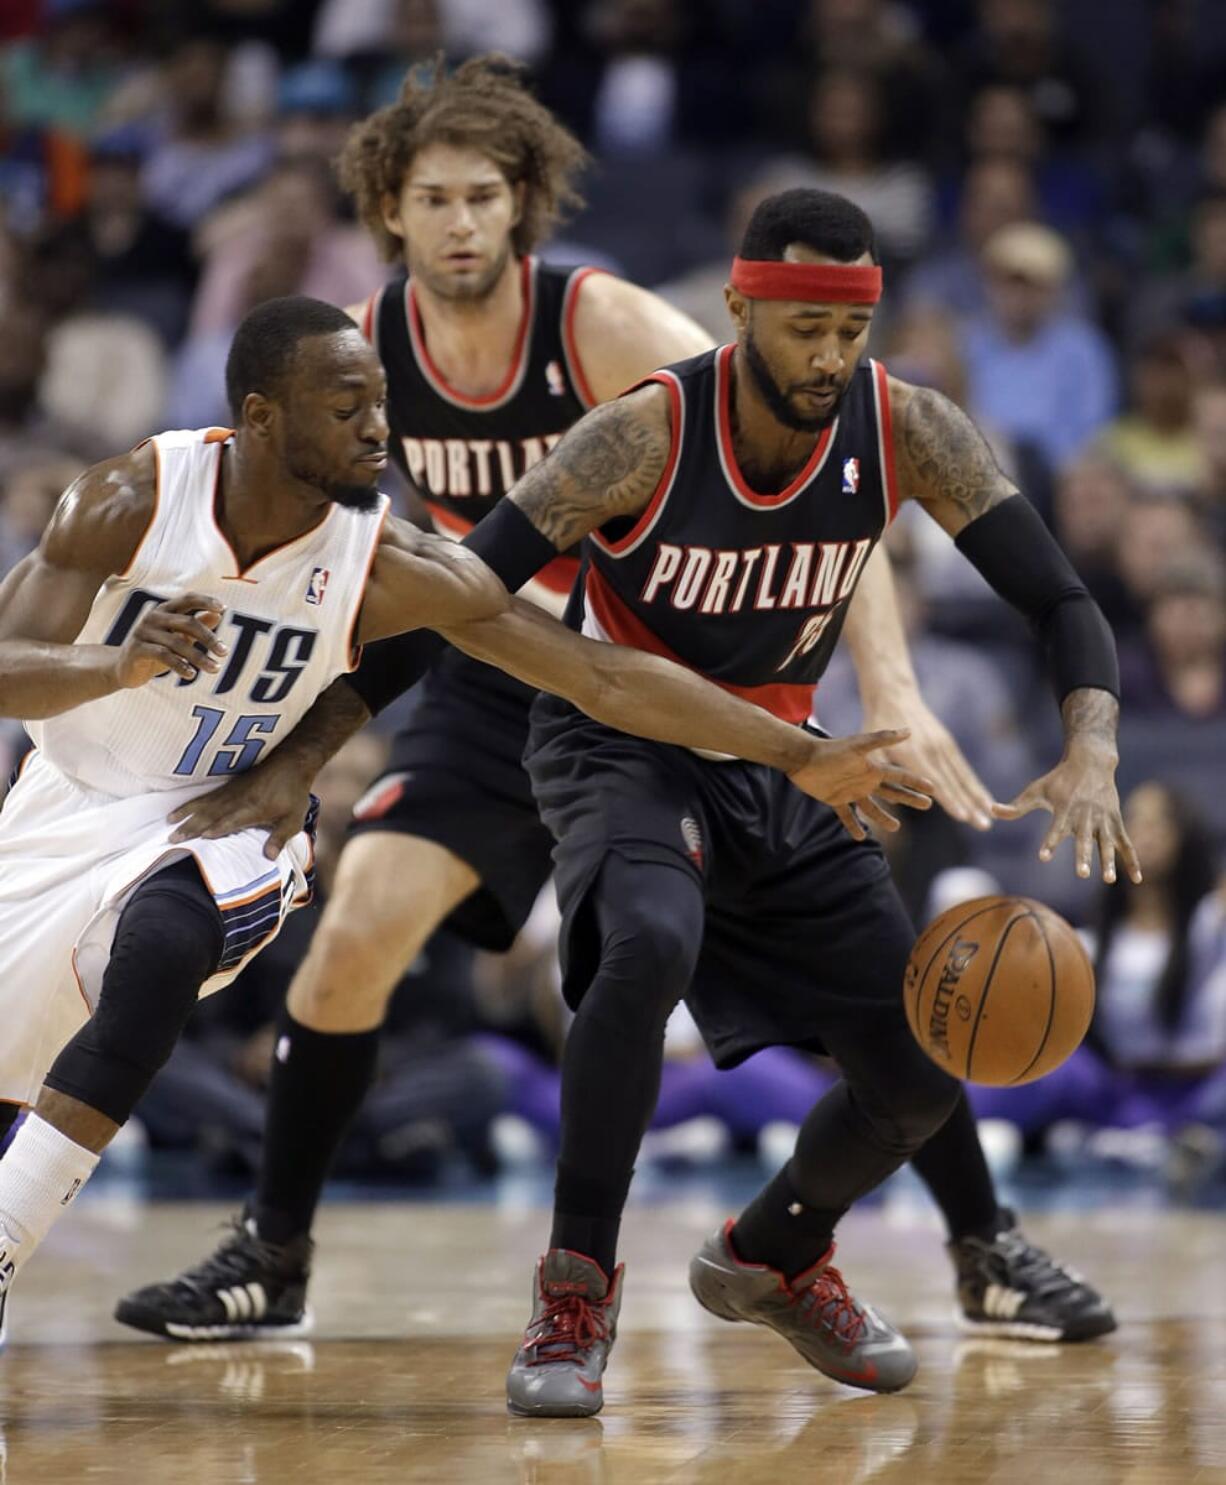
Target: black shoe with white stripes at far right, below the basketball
x,y
1012,1288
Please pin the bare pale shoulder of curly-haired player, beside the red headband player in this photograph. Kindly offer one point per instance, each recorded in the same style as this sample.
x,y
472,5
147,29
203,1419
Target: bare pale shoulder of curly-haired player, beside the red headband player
x,y
624,333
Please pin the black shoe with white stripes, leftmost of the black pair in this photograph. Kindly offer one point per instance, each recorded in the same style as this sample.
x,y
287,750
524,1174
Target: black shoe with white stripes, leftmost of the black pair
x,y
249,1288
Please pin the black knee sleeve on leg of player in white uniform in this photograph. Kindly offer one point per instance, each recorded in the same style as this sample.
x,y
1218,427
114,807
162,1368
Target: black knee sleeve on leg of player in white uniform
x,y
167,945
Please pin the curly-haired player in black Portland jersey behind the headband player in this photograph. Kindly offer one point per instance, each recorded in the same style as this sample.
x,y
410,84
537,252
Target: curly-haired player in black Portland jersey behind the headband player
x,y
491,356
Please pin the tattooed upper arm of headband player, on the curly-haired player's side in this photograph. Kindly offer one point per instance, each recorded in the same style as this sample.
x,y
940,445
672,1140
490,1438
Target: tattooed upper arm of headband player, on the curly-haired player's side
x,y
609,464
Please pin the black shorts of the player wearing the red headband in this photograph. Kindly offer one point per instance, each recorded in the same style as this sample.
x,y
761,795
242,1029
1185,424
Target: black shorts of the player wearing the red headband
x,y
805,929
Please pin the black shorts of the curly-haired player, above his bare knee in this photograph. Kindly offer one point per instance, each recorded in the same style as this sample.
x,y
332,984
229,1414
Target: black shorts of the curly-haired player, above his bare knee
x,y
456,777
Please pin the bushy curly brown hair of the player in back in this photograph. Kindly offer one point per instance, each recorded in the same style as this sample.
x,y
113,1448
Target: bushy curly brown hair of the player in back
x,y
485,106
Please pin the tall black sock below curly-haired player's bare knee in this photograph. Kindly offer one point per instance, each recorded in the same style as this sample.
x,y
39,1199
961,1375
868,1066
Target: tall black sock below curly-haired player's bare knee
x,y
318,1083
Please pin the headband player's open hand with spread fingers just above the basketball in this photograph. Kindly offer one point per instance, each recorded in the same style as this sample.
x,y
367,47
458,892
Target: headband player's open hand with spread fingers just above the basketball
x,y
1081,797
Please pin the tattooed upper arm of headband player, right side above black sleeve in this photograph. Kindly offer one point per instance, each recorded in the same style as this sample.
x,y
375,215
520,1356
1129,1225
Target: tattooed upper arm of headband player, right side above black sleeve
x,y
949,458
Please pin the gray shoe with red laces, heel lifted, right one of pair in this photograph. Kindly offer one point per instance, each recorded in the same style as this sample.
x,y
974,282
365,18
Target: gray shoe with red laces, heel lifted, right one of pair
x,y
816,1313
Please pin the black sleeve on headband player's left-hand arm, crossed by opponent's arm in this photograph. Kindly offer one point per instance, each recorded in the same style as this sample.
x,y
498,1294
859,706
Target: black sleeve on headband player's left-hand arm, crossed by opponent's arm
x,y
508,544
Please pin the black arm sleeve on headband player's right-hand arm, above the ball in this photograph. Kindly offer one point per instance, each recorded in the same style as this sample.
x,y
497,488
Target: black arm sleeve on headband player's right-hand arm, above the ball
x,y
1022,561
